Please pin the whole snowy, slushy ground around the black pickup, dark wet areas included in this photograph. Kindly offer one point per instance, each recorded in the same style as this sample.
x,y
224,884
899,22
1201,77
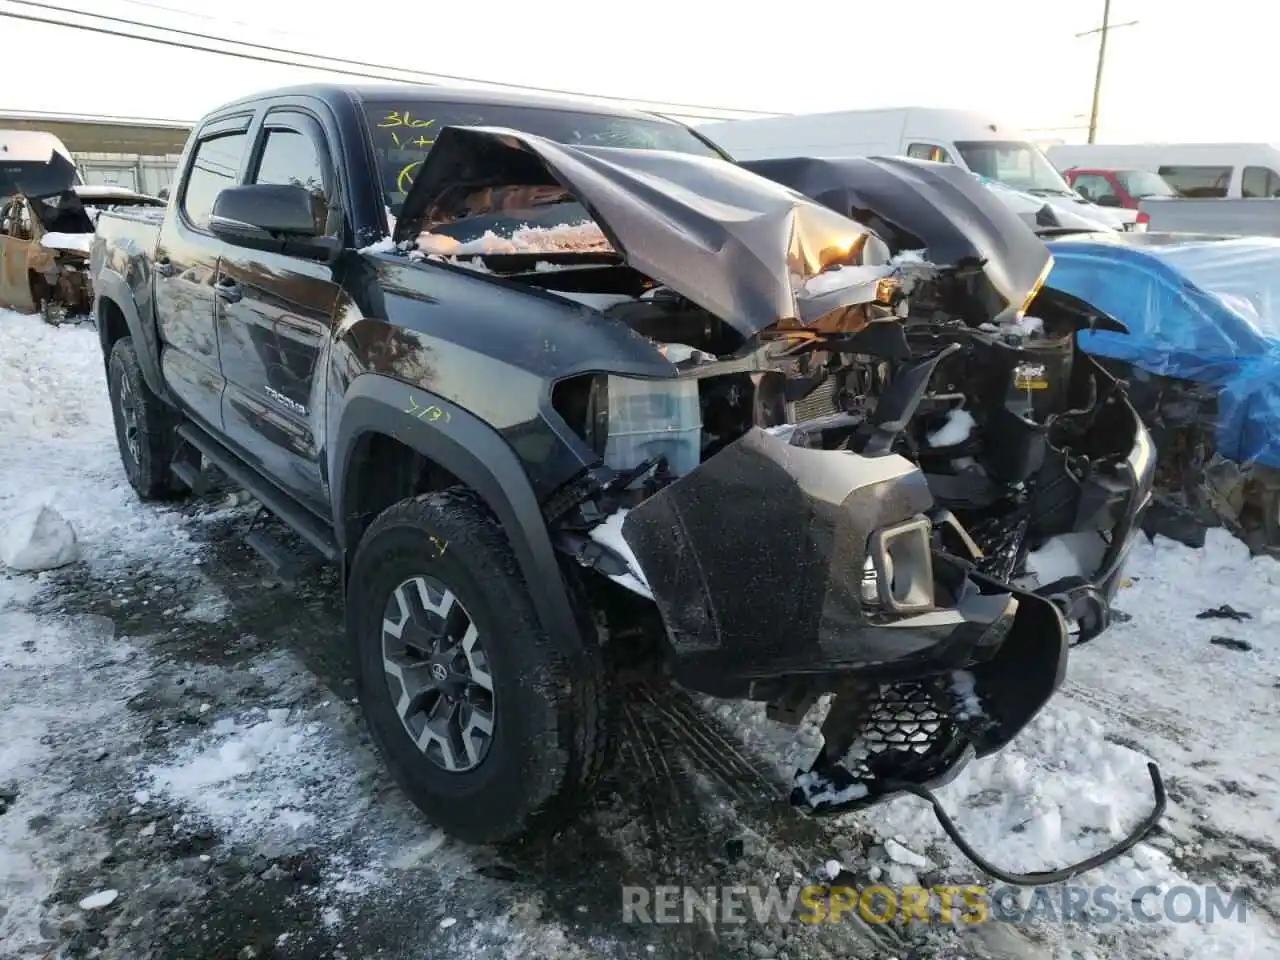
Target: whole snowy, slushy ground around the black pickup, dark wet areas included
x,y
182,771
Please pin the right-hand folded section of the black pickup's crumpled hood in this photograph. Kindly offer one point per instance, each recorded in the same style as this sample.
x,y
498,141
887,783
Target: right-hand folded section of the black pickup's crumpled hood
x,y
913,205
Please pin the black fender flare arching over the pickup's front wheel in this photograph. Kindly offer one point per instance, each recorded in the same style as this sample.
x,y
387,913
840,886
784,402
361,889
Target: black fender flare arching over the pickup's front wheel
x,y
479,458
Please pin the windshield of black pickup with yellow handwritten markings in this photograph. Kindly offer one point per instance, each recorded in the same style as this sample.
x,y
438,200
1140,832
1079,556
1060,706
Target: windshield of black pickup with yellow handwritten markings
x,y
405,131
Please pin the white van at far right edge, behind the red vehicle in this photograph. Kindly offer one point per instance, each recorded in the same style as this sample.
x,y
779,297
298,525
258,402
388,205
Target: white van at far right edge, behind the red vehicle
x,y
1199,171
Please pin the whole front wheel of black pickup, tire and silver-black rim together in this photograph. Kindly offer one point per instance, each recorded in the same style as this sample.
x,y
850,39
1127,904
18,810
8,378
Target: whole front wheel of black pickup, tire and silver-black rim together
x,y
492,732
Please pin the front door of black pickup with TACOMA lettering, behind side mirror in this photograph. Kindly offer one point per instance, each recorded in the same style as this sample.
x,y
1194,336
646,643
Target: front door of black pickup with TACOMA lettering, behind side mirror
x,y
275,314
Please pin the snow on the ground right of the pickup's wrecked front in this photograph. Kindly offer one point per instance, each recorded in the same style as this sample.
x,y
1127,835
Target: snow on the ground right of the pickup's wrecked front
x,y
1076,781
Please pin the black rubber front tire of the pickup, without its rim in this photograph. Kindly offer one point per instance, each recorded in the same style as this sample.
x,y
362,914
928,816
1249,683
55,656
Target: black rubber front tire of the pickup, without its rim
x,y
552,711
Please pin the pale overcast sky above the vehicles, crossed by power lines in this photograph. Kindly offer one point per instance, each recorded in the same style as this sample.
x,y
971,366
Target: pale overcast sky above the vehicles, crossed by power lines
x,y
1188,71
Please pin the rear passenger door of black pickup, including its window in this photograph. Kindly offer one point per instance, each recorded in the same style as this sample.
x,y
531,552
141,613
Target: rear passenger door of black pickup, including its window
x,y
186,267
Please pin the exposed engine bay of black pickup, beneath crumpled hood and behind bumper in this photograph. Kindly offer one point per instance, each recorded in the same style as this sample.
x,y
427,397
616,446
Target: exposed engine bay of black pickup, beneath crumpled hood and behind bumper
x,y
1014,428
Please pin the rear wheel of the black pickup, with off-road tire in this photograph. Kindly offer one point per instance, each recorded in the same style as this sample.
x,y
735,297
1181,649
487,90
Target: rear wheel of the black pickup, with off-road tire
x,y
148,465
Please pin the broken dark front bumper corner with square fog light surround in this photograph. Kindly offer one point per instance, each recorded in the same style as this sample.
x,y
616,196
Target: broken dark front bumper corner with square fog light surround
x,y
772,561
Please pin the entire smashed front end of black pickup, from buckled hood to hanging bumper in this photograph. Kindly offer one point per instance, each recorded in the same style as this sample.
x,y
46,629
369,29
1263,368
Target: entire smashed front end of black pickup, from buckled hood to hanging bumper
x,y
875,422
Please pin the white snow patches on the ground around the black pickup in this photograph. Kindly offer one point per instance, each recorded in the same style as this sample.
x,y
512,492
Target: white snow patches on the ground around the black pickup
x,y
1073,783
